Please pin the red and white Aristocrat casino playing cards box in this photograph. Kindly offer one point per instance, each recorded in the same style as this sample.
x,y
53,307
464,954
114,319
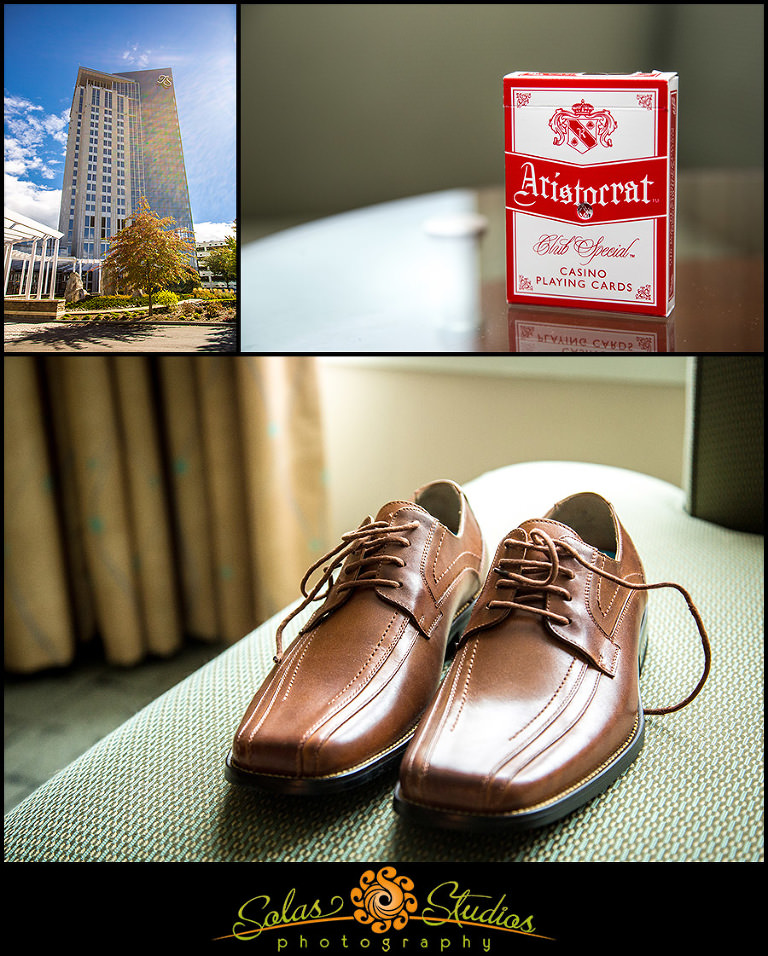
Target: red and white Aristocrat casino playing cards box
x,y
591,171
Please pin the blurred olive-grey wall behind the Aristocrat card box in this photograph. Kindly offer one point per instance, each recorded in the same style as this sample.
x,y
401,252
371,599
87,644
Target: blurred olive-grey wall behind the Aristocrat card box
x,y
343,105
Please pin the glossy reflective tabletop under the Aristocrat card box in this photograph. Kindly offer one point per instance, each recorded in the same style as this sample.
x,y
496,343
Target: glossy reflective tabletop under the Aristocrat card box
x,y
415,275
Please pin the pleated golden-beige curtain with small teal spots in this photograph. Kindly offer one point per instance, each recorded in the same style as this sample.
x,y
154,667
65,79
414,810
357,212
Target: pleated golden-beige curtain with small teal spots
x,y
153,499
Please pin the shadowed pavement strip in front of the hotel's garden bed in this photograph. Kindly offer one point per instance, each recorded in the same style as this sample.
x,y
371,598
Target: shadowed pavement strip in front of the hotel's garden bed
x,y
117,337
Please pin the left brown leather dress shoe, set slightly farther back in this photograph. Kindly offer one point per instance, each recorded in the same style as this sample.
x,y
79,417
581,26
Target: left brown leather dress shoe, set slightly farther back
x,y
344,701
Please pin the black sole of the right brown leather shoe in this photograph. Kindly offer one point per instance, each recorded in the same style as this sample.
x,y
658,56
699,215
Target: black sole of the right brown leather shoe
x,y
541,815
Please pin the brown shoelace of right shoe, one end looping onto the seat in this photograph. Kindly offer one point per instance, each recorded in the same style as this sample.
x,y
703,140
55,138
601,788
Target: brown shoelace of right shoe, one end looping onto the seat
x,y
512,574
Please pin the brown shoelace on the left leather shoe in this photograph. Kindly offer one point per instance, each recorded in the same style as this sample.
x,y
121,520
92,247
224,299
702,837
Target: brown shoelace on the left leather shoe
x,y
369,539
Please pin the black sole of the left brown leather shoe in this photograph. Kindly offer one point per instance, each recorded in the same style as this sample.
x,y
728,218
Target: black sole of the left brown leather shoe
x,y
344,780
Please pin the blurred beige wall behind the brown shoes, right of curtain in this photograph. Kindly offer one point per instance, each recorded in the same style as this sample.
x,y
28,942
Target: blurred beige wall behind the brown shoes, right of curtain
x,y
391,428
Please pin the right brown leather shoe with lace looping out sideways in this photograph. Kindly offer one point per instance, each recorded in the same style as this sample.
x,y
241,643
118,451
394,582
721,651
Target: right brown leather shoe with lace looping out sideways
x,y
540,710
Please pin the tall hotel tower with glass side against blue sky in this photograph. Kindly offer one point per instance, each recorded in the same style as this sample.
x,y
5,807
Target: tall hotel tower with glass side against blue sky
x,y
124,143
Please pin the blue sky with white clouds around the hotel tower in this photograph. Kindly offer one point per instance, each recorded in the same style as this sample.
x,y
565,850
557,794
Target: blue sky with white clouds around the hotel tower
x,y
44,45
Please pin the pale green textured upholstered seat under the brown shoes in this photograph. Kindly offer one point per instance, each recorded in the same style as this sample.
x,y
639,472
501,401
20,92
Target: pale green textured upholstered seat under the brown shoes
x,y
154,789
